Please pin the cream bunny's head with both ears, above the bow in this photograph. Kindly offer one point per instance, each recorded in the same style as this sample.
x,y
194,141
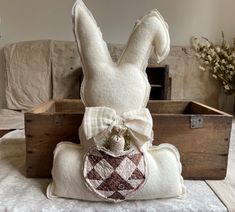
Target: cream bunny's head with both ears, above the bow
x,y
122,86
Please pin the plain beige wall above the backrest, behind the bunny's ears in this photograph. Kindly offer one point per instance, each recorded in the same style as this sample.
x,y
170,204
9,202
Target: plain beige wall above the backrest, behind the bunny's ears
x,y
43,19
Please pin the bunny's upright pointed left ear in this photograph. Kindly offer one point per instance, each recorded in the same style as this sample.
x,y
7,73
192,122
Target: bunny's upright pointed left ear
x,y
91,46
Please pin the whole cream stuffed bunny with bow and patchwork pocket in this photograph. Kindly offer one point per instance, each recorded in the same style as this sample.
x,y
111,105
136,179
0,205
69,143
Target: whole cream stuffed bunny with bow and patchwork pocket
x,y
115,160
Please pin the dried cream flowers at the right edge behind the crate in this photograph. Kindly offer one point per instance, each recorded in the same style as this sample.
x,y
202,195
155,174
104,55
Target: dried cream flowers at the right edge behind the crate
x,y
219,60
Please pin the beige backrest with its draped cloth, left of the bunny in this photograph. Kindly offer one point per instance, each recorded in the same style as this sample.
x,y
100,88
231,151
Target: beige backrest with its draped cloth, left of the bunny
x,y
37,71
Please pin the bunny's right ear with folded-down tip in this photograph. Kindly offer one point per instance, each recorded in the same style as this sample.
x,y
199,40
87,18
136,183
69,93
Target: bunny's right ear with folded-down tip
x,y
149,32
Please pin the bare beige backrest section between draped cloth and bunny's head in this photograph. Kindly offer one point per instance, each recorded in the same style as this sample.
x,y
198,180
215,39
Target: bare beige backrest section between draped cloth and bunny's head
x,y
66,70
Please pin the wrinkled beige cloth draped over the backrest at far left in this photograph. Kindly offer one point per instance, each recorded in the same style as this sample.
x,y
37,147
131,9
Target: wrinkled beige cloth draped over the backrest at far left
x,y
28,74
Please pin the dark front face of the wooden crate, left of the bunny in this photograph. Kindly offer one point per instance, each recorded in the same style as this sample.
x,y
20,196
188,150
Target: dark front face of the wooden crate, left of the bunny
x,y
43,132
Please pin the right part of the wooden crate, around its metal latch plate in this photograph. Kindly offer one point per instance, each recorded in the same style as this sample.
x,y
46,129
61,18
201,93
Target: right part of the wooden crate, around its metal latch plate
x,y
204,151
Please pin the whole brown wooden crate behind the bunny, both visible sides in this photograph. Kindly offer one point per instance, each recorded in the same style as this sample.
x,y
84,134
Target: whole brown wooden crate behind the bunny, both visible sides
x,y
201,134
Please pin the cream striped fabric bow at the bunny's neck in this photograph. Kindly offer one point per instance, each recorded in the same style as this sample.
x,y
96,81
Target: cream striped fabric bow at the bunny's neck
x,y
102,119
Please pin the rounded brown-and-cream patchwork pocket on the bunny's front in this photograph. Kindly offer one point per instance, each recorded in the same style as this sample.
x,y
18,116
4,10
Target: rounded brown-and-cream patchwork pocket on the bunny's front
x,y
114,178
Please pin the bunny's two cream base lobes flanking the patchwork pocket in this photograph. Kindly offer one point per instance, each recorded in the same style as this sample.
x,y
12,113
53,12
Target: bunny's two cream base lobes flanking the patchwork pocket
x,y
164,174
